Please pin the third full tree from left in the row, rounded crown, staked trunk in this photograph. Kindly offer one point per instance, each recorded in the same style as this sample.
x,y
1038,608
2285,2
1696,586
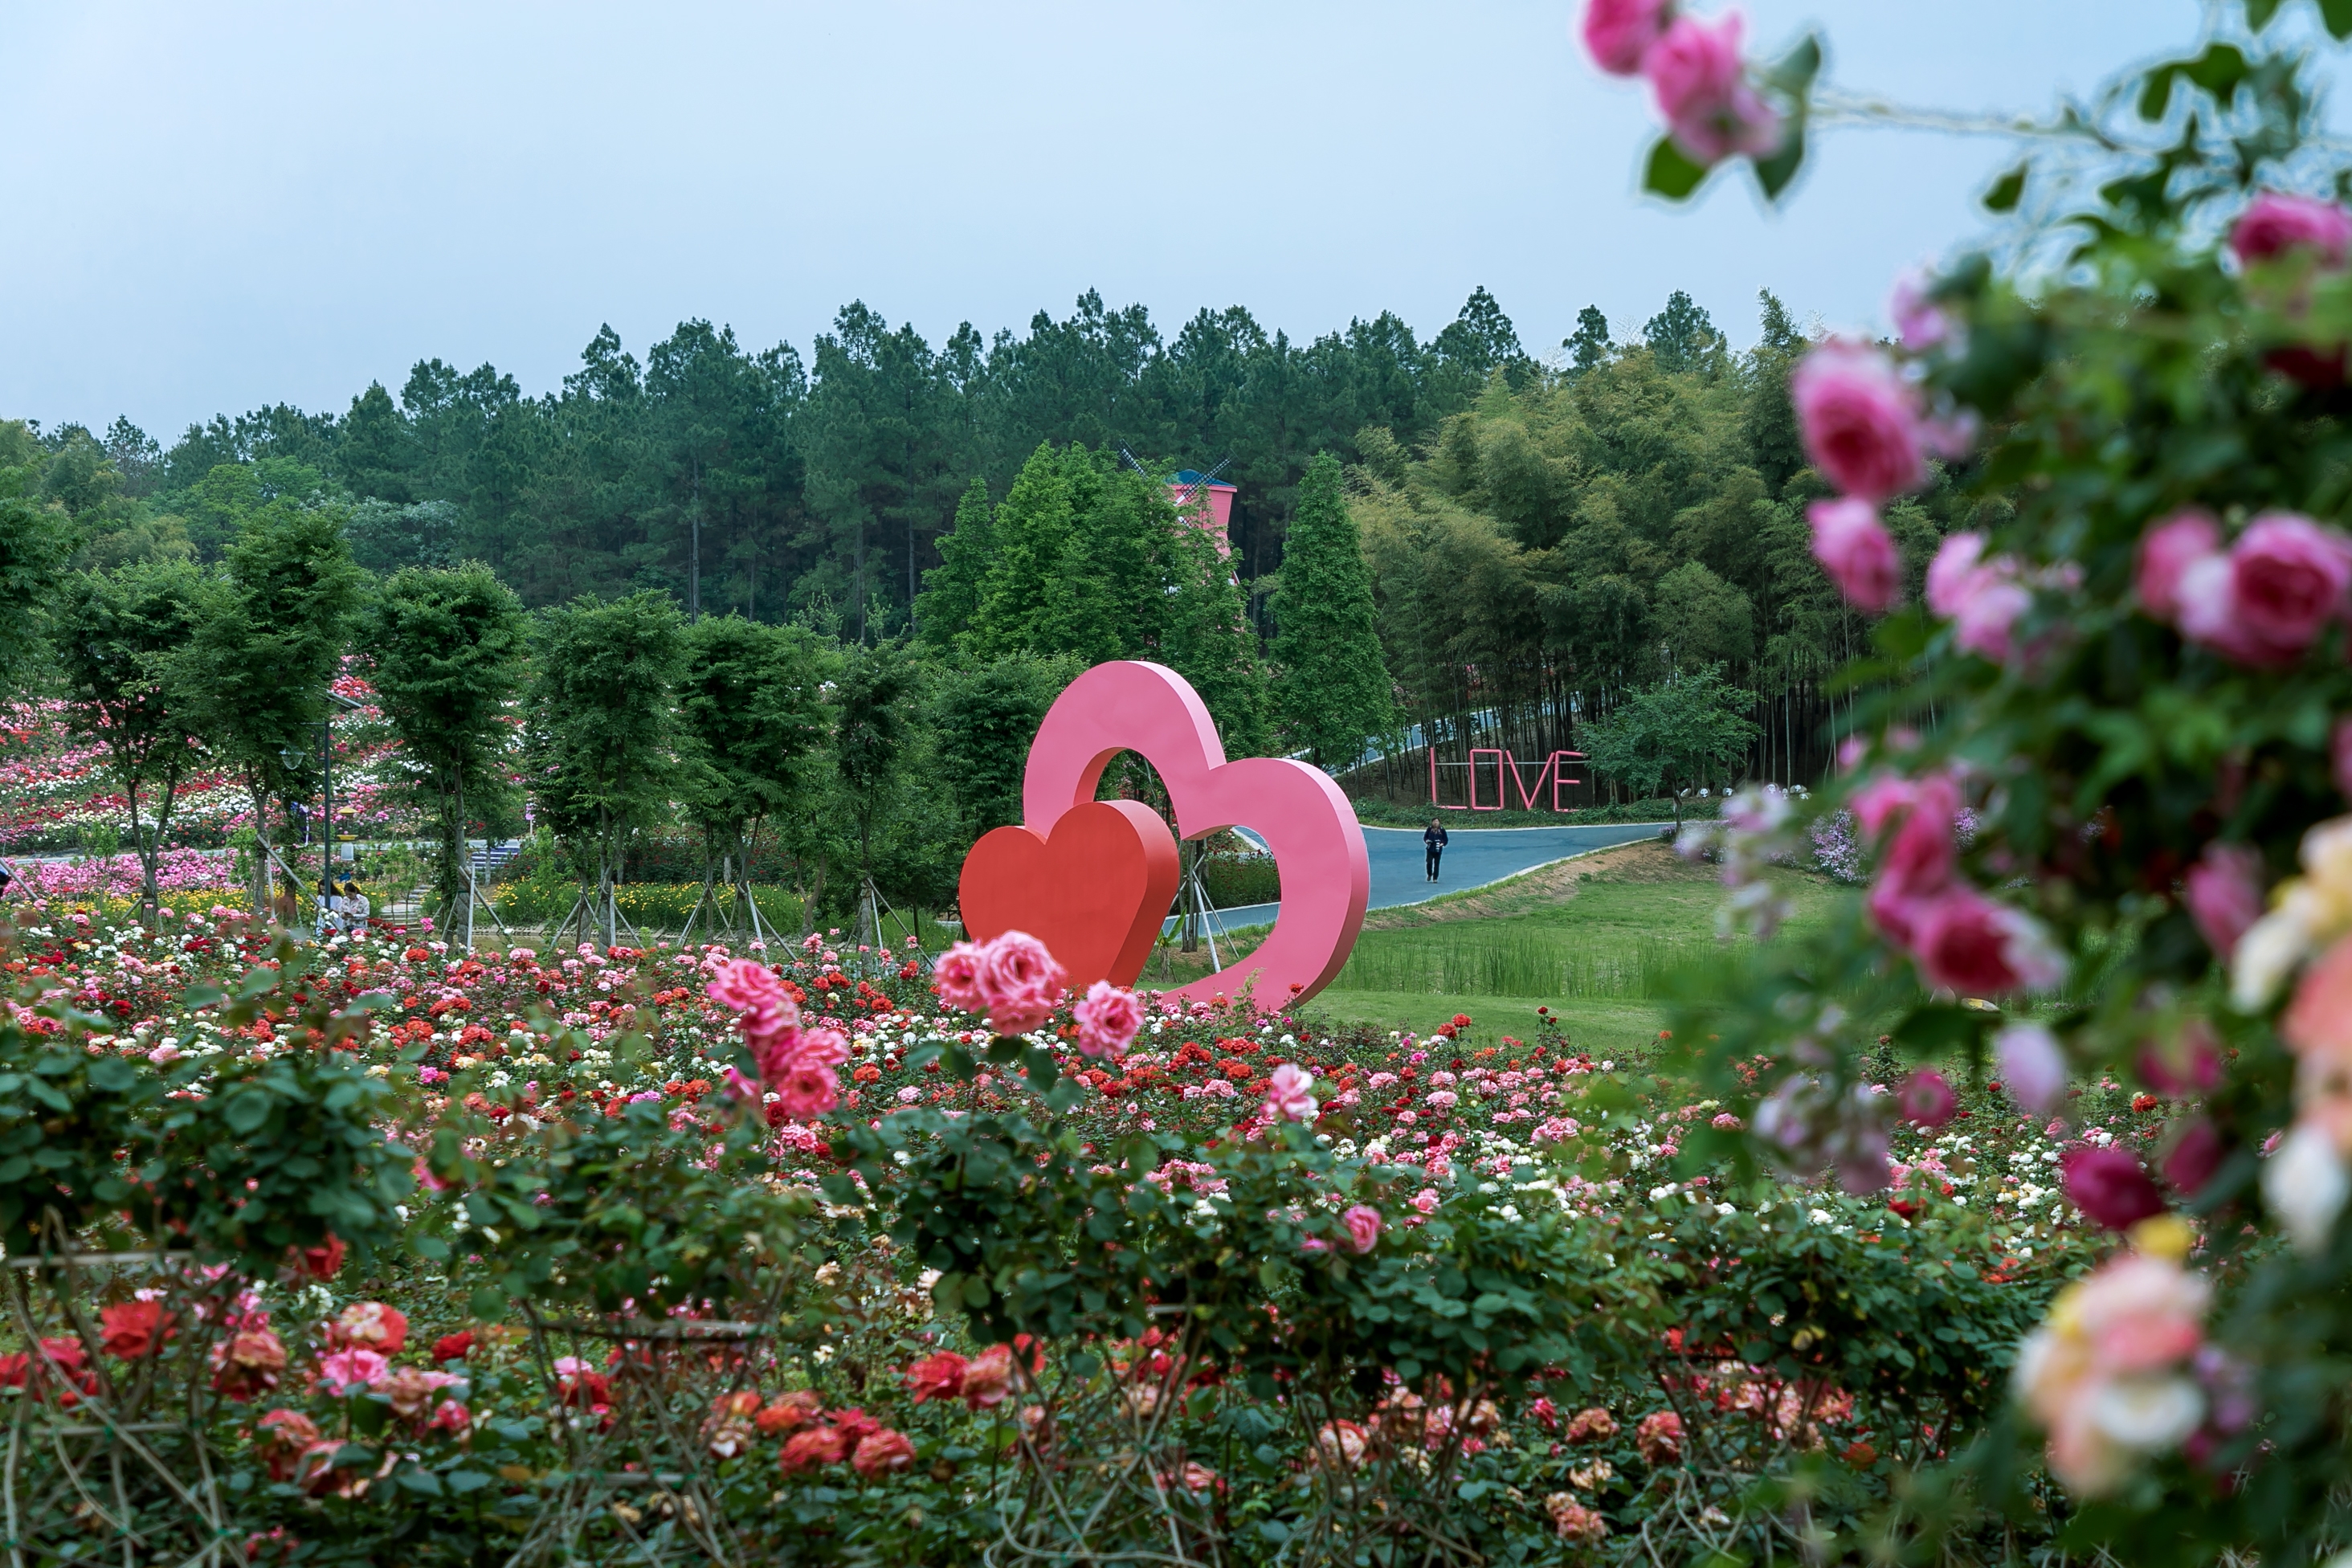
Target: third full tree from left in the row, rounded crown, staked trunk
x,y
448,662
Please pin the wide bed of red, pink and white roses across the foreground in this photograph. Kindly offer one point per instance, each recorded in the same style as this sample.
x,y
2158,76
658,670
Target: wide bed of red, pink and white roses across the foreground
x,y
1245,1285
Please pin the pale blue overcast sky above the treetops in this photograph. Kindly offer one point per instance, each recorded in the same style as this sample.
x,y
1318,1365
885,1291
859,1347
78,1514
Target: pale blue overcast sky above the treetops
x,y
225,206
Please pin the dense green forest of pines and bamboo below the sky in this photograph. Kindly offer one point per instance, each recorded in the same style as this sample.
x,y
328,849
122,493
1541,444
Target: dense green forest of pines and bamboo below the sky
x,y
1502,549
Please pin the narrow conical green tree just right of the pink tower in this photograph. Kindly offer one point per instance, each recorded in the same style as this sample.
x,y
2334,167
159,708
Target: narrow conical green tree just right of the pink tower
x,y
1332,692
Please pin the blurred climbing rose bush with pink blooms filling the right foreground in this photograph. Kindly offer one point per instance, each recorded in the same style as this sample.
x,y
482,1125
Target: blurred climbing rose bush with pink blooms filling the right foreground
x,y
2137,678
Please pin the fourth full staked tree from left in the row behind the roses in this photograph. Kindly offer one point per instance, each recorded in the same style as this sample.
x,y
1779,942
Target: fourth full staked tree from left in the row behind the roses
x,y
601,732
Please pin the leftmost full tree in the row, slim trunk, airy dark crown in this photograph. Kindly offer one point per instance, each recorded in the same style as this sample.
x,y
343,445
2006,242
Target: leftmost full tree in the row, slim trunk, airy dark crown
x,y
119,638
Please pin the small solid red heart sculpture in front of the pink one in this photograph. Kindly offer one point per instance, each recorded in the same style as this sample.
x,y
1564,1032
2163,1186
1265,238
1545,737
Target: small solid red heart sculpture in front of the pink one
x,y
1095,892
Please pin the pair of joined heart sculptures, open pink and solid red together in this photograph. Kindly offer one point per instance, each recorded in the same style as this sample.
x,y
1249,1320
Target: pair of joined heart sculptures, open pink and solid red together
x,y
1095,880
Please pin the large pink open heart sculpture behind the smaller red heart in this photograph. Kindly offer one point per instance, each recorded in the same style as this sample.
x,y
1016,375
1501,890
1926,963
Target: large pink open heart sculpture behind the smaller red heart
x,y
1147,709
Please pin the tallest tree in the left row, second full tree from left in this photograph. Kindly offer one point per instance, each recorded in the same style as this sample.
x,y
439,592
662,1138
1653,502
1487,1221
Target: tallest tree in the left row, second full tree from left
x,y
267,645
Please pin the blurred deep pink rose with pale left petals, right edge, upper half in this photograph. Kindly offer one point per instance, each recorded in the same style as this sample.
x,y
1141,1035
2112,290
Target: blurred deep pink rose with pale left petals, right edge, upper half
x,y
2271,598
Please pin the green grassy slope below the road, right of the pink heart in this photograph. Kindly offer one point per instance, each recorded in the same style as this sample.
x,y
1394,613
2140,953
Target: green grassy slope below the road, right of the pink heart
x,y
1601,942
